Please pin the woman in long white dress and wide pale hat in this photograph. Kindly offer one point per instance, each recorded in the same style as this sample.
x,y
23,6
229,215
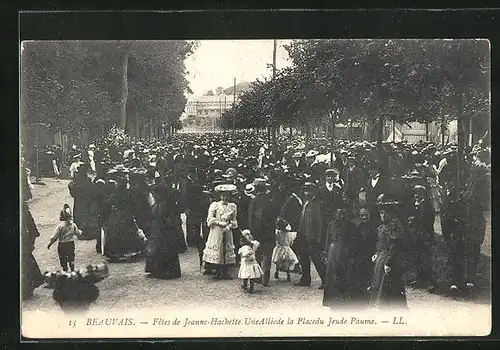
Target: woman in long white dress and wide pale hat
x,y
221,219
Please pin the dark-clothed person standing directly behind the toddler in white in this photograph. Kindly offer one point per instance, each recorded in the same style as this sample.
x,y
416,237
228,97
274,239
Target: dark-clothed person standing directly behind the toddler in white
x,y
261,222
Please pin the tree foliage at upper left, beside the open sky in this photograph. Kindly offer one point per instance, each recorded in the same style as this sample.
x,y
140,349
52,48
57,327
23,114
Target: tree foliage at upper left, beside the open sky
x,y
78,84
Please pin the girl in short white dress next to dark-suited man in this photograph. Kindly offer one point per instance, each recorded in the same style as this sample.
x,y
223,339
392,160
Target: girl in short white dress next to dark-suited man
x,y
283,255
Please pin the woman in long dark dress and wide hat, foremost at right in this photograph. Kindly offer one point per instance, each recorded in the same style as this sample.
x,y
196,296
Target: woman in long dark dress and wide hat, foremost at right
x,y
387,287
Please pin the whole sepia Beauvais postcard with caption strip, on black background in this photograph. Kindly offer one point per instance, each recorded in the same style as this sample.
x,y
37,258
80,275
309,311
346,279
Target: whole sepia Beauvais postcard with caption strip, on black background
x,y
255,188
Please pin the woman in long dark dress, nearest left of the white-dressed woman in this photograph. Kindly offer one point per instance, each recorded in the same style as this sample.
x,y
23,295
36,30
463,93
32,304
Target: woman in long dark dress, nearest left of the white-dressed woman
x,y
163,259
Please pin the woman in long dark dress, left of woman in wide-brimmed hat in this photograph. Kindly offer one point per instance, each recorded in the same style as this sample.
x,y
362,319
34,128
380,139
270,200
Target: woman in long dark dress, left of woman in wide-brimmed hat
x,y
340,282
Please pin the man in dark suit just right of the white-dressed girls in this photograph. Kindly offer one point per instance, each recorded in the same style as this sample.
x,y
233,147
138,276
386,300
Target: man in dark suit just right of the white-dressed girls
x,y
309,236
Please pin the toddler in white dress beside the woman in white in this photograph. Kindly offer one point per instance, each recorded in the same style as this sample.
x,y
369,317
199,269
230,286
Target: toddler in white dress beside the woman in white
x,y
250,270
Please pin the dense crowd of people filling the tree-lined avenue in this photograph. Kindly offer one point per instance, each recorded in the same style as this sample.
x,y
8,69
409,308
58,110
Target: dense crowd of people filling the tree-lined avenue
x,y
356,214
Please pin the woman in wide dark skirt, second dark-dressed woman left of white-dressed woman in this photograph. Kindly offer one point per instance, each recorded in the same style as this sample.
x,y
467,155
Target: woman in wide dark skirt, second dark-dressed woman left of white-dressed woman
x,y
124,241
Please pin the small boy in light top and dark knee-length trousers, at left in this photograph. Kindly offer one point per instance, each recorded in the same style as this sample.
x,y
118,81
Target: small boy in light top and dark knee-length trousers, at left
x,y
66,232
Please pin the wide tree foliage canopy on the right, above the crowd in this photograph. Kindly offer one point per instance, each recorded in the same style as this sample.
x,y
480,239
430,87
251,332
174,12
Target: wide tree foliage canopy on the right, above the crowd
x,y
404,80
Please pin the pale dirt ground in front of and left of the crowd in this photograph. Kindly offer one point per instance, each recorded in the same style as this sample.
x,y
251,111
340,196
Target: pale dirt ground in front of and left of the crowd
x,y
128,286
